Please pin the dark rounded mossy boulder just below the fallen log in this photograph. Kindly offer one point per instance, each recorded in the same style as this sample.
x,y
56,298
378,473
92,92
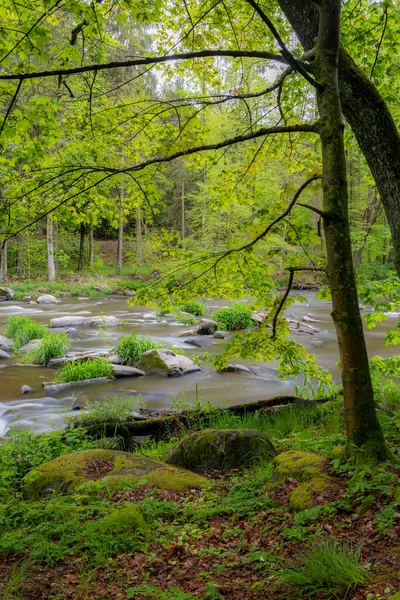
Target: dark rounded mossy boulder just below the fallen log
x,y
221,449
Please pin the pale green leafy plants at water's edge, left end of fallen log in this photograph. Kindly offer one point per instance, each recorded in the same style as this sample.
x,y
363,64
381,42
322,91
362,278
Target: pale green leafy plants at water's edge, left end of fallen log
x,y
115,410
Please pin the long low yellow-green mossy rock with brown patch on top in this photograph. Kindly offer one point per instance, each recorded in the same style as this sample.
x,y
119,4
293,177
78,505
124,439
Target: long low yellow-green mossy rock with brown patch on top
x,y
66,473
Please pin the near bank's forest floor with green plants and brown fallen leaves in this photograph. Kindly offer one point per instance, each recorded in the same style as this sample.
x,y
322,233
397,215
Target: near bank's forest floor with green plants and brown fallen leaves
x,y
234,539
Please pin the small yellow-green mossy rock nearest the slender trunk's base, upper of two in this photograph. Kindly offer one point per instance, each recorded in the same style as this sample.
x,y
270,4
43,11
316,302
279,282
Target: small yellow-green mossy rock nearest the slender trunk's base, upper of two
x,y
299,464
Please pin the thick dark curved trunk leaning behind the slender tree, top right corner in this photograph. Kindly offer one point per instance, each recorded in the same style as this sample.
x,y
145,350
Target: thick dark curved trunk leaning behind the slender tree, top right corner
x,y
367,114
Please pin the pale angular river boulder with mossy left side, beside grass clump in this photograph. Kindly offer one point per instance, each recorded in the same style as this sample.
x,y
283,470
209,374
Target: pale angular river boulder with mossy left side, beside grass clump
x,y
166,363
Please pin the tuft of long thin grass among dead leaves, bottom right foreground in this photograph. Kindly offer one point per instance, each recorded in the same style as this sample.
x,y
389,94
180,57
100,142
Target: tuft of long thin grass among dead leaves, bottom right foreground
x,y
328,570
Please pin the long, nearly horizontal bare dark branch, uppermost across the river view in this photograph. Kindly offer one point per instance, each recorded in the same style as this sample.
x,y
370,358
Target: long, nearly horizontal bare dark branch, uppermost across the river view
x,y
147,61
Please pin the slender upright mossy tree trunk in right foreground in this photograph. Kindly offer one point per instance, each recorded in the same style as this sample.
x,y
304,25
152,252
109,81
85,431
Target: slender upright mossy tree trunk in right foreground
x,y
364,435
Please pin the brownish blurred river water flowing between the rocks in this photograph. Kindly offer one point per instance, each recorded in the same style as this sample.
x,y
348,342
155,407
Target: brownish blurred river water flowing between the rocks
x,y
40,414
